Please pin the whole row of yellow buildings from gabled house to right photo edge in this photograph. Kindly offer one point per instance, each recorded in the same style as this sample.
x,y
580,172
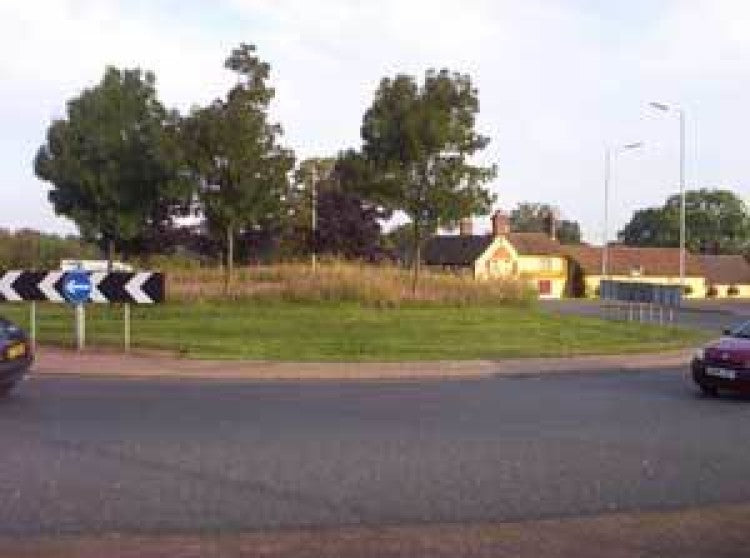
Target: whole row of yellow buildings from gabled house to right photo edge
x,y
556,270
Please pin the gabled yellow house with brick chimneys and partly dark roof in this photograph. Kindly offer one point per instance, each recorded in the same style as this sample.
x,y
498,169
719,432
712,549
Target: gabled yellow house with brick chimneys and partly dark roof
x,y
534,257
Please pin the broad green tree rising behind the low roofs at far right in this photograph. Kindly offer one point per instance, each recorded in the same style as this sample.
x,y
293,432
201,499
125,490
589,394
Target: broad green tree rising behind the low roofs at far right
x,y
717,221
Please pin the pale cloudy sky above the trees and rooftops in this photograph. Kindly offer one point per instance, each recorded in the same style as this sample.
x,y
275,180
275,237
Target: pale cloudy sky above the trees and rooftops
x,y
558,82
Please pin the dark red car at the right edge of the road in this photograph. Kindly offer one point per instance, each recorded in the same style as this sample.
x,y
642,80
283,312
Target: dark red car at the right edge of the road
x,y
724,364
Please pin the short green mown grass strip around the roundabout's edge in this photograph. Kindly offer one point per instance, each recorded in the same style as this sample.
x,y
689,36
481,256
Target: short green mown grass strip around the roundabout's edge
x,y
283,331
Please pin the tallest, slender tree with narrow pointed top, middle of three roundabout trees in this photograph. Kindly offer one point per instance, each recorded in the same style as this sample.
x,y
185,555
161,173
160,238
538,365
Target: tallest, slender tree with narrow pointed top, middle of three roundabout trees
x,y
233,150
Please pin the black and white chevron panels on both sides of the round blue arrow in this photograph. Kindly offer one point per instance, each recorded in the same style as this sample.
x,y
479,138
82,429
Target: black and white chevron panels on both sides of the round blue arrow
x,y
143,287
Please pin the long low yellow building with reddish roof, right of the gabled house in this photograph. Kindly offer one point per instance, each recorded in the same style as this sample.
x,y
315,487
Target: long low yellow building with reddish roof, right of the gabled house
x,y
627,263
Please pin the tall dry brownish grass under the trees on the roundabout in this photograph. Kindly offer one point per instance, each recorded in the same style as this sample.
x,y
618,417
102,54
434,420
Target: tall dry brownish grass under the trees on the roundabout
x,y
377,285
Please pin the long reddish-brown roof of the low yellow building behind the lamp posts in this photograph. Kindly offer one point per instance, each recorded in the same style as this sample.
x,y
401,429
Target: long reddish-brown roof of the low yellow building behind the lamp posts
x,y
624,260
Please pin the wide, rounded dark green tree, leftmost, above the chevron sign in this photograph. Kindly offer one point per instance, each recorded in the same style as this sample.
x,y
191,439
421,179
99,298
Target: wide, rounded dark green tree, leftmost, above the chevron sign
x,y
110,160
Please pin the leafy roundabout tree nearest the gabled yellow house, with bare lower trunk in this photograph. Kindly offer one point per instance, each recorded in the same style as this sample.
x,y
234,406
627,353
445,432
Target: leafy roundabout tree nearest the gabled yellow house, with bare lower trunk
x,y
419,139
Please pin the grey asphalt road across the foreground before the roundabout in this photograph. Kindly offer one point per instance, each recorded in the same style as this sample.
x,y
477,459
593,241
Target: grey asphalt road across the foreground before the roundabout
x,y
95,456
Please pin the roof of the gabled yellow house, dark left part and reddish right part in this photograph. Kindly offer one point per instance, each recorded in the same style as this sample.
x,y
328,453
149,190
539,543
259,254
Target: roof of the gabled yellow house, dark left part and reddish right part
x,y
465,250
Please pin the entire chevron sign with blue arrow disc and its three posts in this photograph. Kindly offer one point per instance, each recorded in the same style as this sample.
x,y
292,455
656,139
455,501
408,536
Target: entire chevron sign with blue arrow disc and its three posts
x,y
79,288
